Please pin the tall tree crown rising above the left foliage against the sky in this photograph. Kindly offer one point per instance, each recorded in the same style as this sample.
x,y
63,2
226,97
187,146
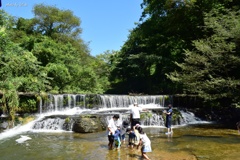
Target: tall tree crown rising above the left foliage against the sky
x,y
50,20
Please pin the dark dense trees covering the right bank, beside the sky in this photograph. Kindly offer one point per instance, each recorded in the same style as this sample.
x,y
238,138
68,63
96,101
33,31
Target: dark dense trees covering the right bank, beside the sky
x,y
182,47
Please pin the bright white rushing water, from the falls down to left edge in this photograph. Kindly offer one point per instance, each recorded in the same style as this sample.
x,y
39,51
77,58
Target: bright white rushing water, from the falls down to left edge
x,y
109,103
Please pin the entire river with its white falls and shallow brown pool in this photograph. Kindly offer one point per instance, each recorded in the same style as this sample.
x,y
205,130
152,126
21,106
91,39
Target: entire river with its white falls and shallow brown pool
x,y
192,140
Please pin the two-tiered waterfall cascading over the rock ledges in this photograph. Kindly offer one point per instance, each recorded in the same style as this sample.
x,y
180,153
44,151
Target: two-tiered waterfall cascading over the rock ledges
x,y
55,110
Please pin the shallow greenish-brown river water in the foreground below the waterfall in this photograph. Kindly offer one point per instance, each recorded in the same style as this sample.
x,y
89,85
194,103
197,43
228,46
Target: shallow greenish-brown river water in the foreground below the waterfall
x,y
192,142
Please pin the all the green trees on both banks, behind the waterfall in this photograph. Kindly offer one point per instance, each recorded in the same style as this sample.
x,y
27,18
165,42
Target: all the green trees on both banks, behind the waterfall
x,y
177,47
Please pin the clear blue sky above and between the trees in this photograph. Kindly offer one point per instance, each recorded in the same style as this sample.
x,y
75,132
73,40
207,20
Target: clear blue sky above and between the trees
x,y
105,23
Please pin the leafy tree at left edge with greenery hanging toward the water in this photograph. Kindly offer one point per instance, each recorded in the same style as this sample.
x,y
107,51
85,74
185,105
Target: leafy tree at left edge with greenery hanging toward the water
x,y
19,72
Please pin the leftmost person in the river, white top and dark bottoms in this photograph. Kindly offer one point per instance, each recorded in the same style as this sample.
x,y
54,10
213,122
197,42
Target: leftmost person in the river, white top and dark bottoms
x,y
112,127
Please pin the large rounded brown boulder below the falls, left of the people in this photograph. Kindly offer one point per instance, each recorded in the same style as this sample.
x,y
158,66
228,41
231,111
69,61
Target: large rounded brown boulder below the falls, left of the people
x,y
89,124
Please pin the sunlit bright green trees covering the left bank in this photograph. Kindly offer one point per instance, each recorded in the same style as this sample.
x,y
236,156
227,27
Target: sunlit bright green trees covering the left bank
x,y
45,54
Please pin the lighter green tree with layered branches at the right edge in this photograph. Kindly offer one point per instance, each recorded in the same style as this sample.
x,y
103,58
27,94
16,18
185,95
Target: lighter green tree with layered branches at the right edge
x,y
211,70
